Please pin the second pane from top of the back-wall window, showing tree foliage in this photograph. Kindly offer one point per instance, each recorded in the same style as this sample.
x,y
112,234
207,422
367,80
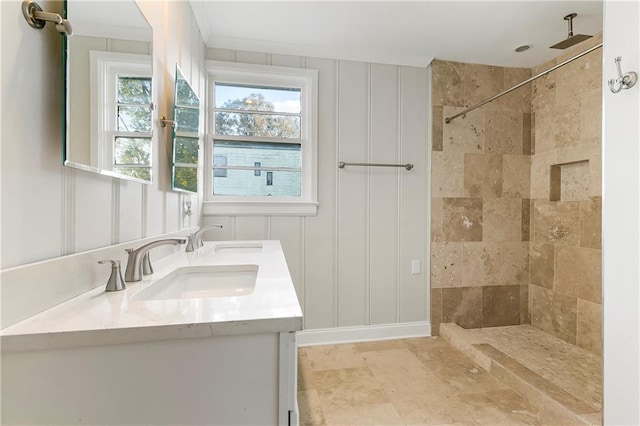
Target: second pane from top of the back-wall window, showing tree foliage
x,y
243,124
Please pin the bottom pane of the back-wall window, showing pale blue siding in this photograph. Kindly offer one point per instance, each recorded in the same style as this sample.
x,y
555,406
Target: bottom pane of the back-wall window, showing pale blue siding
x,y
244,182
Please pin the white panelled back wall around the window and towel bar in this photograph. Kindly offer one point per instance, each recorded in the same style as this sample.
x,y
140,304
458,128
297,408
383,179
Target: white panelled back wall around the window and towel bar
x,y
351,264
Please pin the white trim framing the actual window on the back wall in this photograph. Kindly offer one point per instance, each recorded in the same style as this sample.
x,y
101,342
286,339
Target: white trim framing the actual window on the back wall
x,y
307,80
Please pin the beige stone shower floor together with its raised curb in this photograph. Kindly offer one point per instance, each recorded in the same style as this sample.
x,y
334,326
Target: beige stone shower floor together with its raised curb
x,y
559,378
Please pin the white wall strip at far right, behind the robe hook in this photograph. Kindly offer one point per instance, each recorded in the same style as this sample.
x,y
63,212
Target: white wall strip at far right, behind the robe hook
x,y
621,219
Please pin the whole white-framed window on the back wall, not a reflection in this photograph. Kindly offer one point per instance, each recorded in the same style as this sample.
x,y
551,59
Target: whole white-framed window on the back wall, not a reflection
x,y
260,119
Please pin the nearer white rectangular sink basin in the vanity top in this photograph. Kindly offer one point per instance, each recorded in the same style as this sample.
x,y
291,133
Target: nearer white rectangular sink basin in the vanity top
x,y
197,282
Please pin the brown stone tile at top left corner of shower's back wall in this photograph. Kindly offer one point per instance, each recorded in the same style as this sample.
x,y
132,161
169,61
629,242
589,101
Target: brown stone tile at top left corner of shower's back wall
x,y
448,83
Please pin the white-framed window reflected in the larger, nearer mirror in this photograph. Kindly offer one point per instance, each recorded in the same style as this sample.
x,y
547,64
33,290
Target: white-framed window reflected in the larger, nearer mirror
x,y
121,134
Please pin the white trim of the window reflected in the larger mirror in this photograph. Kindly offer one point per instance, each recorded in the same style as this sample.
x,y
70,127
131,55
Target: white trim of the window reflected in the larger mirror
x,y
104,67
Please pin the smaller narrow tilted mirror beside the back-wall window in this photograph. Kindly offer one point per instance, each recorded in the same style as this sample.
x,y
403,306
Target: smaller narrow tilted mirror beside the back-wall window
x,y
186,141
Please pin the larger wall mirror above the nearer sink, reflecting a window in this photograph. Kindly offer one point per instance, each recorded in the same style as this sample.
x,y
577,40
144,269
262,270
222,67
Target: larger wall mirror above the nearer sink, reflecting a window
x,y
108,75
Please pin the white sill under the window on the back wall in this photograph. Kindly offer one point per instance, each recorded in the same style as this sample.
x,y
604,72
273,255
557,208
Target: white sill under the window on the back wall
x,y
283,208
